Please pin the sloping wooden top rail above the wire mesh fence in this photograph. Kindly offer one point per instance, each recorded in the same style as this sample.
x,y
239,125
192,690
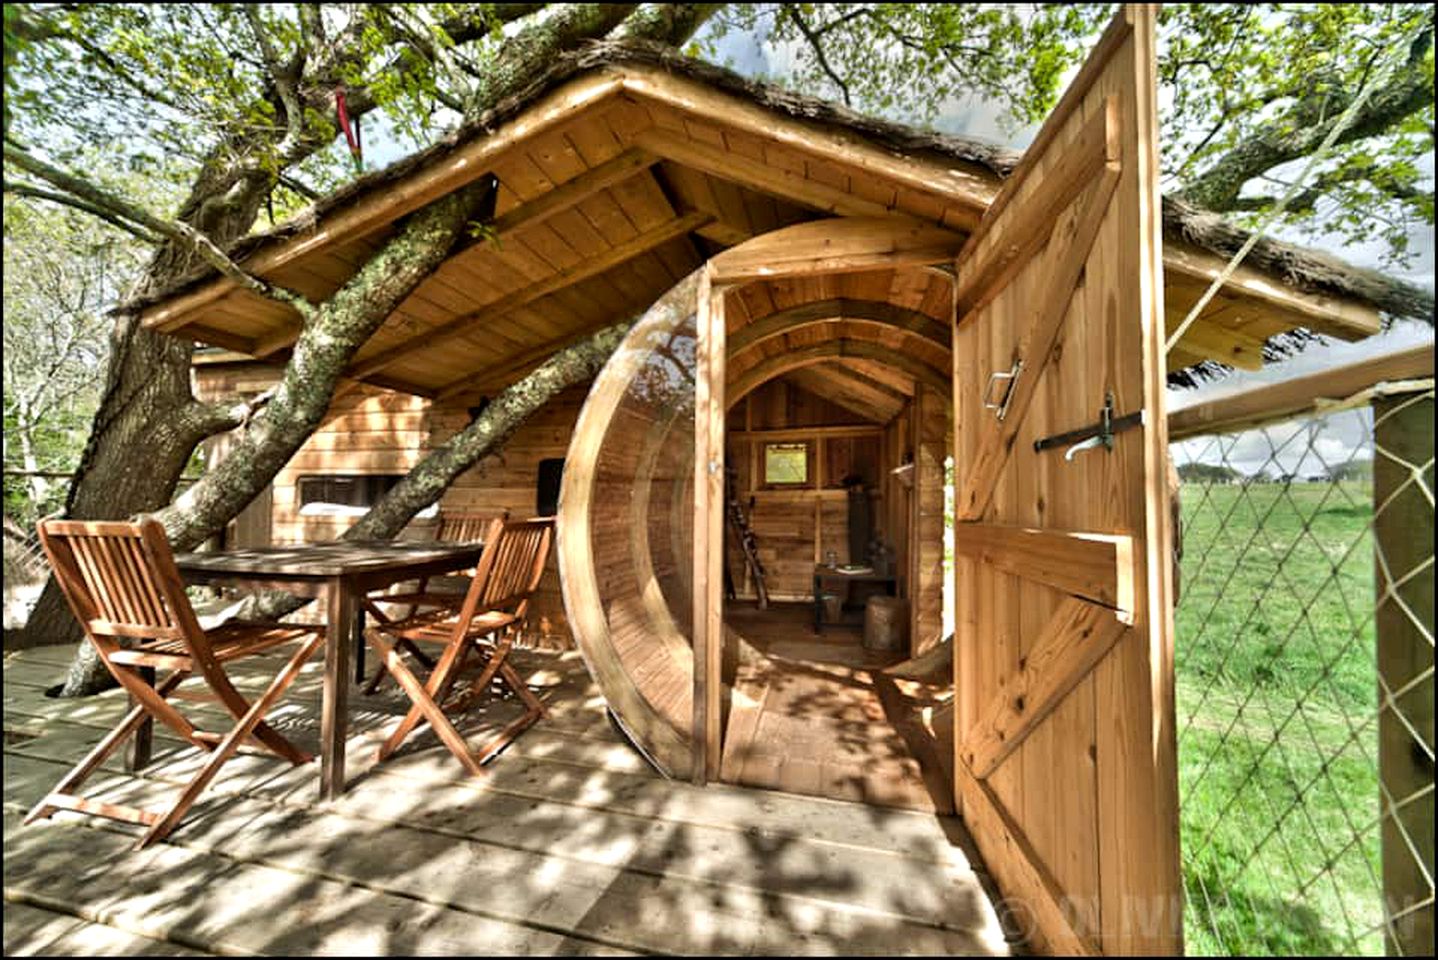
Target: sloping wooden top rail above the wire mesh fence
x,y
1283,402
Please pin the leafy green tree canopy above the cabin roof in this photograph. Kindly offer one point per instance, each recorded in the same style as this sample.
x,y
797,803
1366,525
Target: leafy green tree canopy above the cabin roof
x,y
166,90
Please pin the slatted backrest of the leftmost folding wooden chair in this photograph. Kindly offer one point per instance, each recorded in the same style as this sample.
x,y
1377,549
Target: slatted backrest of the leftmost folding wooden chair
x,y
120,578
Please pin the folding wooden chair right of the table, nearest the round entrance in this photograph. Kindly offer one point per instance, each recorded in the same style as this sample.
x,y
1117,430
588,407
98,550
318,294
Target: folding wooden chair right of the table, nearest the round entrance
x,y
487,624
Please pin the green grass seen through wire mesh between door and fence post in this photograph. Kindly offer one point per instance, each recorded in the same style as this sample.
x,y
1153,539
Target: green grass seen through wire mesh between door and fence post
x,y
1276,715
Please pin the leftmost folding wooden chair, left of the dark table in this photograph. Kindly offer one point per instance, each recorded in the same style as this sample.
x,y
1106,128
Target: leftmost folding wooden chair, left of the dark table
x,y
123,586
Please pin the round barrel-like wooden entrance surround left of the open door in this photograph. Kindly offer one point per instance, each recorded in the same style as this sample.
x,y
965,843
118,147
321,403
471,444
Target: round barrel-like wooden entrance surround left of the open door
x,y
853,304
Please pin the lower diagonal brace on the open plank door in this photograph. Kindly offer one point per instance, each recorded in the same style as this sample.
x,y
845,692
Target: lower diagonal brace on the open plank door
x,y
1071,645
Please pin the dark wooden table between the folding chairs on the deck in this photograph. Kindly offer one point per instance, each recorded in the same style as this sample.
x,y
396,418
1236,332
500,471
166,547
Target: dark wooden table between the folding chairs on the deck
x,y
342,574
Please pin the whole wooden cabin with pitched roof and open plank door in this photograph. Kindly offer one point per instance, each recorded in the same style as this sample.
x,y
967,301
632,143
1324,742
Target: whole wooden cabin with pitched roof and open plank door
x,y
826,298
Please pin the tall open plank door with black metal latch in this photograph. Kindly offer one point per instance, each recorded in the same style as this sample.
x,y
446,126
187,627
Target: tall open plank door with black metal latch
x,y
1063,669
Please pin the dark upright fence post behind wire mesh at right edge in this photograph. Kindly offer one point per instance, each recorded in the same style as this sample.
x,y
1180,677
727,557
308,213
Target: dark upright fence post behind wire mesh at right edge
x,y
1404,541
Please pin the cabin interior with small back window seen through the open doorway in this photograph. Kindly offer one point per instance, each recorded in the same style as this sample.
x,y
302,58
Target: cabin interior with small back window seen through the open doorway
x,y
836,446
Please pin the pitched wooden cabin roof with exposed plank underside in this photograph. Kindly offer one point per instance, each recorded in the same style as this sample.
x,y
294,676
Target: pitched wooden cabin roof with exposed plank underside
x,y
623,170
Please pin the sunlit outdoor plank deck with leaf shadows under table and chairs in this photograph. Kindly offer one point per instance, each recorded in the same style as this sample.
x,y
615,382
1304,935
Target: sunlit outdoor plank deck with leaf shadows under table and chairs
x,y
569,846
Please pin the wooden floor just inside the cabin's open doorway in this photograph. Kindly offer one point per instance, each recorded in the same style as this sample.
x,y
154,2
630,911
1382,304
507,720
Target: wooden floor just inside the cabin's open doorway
x,y
818,718
